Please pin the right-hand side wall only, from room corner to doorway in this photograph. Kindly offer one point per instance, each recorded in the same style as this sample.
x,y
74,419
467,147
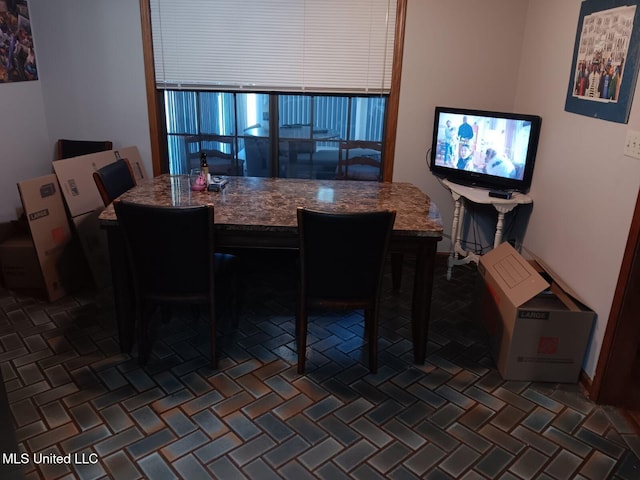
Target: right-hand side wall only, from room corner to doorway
x,y
583,187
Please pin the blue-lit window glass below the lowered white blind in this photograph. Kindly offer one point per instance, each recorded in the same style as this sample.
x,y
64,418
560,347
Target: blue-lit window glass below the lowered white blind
x,y
234,130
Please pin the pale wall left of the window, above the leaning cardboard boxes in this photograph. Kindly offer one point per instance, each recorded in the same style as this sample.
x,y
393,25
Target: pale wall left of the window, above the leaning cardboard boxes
x,y
90,87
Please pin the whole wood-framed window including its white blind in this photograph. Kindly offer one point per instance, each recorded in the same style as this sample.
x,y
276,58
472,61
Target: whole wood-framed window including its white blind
x,y
307,73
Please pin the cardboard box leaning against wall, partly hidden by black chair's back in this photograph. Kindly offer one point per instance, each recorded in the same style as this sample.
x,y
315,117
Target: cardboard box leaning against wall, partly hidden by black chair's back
x,y
84,202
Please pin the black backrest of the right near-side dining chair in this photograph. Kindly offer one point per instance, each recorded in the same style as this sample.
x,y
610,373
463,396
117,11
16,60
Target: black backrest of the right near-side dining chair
x,y
342,254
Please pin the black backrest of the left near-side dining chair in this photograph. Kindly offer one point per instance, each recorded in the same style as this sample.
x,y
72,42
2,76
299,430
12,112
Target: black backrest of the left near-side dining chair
x,y
171,250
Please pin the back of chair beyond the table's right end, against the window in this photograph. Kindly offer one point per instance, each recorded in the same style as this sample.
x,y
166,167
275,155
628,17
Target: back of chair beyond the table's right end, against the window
x,y
359,160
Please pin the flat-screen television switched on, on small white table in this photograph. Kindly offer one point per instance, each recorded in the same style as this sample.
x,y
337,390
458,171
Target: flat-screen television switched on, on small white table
x,y
478,148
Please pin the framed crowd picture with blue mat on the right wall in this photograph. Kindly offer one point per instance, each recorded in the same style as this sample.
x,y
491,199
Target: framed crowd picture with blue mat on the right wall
x,y
604,69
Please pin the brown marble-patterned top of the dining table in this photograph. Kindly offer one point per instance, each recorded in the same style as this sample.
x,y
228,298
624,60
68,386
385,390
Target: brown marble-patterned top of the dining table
x,y
271,203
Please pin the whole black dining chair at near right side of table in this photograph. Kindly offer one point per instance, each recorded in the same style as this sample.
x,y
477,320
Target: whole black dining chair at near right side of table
x,y
341,266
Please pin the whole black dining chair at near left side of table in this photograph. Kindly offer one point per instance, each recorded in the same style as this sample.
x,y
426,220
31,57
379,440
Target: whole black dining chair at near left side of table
x,y
171,252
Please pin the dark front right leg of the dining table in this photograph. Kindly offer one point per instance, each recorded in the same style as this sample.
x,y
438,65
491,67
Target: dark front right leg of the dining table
x,y
421,303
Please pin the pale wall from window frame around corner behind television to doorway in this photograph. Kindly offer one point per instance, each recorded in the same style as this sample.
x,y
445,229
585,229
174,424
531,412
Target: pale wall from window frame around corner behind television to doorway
x,y
506,55
